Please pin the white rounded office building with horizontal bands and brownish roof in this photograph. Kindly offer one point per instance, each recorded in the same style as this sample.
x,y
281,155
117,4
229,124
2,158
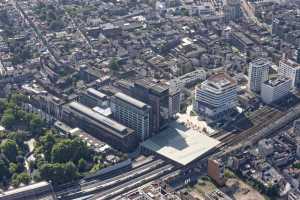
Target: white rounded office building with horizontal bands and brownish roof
x,y
216,96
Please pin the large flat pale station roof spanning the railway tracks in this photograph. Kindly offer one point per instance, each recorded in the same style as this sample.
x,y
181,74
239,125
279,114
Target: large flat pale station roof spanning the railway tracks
x,y
180,144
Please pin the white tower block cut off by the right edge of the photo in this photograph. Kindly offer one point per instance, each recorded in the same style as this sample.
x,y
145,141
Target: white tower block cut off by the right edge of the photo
x,y
290,69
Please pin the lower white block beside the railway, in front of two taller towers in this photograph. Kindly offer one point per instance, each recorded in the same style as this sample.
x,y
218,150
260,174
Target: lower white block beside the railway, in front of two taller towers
x,y
275,89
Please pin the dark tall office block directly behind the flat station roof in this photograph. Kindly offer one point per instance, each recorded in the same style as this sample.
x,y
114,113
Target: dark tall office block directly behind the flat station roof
x,y
157,96
